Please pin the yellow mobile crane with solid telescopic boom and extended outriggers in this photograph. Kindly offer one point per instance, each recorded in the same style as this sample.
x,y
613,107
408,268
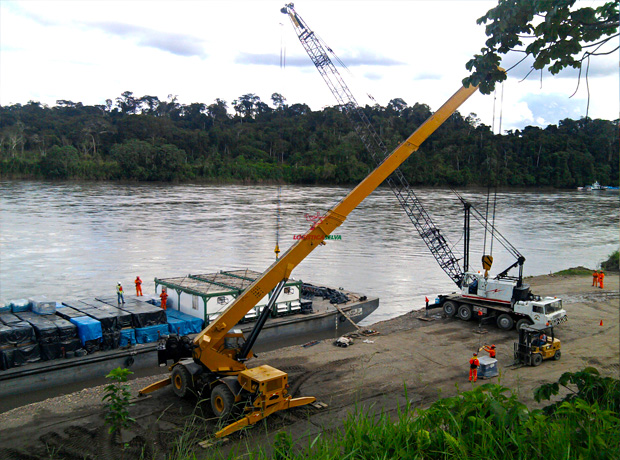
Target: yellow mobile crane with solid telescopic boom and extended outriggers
x,y
214,361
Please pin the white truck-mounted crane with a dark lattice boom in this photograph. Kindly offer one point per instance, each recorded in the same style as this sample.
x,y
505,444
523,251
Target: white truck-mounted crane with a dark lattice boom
x,y
505,298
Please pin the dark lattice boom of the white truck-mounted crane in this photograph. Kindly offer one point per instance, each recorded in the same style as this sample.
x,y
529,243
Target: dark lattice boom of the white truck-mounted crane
x,y
428,231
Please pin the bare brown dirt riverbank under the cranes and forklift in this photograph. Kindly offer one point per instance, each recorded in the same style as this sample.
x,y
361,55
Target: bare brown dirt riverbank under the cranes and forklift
x,y
428,358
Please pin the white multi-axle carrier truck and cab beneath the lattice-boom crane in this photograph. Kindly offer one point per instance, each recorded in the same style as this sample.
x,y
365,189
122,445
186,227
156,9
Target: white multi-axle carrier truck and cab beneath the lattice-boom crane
x,y
503,299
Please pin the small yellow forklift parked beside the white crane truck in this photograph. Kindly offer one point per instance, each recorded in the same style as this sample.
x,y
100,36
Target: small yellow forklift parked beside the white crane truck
x,y
537,344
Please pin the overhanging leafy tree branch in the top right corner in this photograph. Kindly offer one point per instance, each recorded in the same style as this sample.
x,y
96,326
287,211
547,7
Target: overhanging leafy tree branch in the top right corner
x,y
554,33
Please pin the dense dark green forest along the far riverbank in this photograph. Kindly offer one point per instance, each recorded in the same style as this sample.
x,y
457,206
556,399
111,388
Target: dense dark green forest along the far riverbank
x,y
146,139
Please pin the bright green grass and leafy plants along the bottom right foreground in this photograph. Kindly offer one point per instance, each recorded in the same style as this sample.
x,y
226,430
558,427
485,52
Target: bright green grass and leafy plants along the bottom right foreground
x,y
488,422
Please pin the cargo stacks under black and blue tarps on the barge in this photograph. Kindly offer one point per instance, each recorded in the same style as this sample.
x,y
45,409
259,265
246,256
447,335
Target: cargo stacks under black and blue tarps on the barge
x,y
37,329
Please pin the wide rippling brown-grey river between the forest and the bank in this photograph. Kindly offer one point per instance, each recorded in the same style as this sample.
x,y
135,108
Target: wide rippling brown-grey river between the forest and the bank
x,y
67,239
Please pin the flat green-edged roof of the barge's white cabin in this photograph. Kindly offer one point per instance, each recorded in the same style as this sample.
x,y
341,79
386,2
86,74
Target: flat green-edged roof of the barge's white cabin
x,y
223,282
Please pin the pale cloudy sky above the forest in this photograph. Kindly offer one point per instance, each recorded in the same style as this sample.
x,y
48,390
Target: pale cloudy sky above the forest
x,y
200,50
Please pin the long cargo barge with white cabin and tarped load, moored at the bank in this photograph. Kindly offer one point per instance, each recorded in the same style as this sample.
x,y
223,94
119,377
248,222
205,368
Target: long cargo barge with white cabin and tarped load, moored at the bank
x,y
304,313
